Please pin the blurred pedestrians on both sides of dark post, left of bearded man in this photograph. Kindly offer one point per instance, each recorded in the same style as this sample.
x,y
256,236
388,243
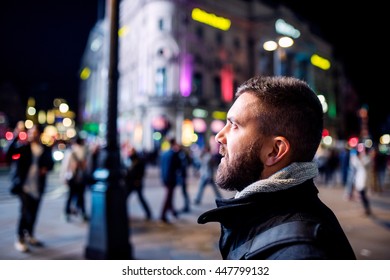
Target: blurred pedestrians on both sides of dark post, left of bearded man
x,y
30,158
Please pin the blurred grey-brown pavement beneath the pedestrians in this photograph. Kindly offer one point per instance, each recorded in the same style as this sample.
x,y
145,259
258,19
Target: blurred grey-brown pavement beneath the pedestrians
x,y
183,238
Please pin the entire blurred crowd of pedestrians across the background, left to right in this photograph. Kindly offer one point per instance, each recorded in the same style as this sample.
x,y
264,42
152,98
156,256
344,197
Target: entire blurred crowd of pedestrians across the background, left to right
x,y
360,170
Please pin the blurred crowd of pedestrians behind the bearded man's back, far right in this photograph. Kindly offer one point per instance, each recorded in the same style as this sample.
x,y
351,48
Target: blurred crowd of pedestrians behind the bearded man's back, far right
x,y
362,171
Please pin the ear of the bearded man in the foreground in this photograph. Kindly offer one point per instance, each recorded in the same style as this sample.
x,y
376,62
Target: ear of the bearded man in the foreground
x,y
278,149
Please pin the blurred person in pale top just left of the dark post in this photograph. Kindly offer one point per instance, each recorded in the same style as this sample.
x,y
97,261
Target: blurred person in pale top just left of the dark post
x,y
74,172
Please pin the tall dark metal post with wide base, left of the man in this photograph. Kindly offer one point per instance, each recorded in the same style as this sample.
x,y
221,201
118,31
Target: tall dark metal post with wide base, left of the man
x,y
109,226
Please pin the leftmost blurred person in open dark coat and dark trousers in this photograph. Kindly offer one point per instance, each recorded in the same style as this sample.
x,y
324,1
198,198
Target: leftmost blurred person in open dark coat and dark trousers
x,y
30,161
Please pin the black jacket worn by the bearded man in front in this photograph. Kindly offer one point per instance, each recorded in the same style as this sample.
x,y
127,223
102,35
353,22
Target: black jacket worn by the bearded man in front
x,y
286,224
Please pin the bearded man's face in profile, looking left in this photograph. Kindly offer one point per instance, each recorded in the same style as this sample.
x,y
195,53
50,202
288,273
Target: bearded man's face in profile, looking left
x,y
240,146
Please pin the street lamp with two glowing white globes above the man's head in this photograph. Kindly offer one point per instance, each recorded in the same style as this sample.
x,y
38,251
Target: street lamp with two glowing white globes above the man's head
x,y
279,52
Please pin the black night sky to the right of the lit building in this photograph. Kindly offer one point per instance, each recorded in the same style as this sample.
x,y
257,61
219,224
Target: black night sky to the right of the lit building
x,y
356,30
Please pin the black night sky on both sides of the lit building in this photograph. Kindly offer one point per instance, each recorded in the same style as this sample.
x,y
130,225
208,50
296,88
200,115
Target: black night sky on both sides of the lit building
x,y
42,42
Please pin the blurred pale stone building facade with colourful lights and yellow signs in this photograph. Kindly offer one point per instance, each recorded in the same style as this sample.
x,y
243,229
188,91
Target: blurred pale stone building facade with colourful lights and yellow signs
x,y
180,62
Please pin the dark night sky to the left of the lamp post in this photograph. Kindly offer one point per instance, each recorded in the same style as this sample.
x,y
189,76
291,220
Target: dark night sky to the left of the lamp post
x,y
42,43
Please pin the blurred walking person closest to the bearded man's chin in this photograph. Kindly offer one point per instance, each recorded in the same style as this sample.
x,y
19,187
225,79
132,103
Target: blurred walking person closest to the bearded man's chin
x,y
206,173
